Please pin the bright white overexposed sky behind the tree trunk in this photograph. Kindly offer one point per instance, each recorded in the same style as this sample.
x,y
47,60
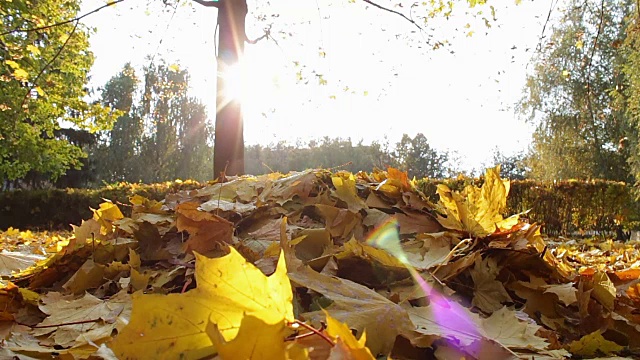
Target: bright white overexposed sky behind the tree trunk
x,y
382,79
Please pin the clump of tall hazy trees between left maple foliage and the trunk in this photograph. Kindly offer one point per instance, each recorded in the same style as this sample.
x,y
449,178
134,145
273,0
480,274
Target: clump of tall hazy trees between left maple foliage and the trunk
x,y
163,133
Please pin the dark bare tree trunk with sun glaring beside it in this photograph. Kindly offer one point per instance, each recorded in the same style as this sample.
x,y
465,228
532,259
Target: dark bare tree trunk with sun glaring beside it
x,y
229,140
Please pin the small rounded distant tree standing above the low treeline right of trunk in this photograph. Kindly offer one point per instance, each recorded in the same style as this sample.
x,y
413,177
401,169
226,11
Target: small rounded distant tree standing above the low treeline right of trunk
x,y
419,159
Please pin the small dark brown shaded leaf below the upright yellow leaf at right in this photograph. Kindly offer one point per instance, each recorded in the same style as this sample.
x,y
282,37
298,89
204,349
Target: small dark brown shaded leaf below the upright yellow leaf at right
x,y
489,293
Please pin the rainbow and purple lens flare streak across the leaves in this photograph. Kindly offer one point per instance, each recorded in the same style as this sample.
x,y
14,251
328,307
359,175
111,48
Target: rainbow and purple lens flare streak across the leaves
x,y
449,315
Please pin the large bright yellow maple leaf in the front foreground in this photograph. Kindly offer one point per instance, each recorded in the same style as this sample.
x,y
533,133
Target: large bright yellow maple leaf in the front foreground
x,y
229,288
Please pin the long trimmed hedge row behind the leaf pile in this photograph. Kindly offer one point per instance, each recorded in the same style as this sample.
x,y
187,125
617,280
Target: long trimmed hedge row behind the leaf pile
x,y
564,208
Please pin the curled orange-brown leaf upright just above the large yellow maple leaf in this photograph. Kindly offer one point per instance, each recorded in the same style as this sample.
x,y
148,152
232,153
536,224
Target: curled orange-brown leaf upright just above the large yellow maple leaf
x,y
206,231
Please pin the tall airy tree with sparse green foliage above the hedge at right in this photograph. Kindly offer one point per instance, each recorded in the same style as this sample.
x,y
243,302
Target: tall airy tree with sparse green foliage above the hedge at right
x,y
571,95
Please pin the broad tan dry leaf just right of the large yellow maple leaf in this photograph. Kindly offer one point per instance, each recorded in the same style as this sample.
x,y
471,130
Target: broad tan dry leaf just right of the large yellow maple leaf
x,y
360,307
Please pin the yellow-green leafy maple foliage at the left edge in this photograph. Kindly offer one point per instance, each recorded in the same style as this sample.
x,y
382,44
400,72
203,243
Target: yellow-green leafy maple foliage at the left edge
x,y
43,72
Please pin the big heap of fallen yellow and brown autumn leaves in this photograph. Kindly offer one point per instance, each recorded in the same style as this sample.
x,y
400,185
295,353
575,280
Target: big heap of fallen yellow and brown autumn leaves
x,y
316,265
